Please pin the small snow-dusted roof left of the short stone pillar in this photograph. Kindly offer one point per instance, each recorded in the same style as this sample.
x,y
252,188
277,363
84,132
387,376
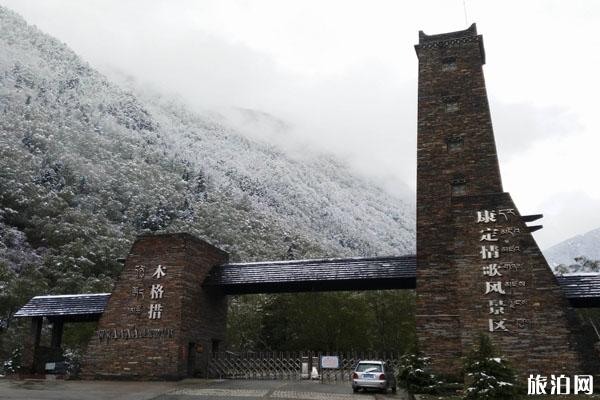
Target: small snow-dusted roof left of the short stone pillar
x,y
65,305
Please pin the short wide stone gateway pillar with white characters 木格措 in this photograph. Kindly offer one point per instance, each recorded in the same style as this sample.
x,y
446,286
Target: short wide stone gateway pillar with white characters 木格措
x,y
160,323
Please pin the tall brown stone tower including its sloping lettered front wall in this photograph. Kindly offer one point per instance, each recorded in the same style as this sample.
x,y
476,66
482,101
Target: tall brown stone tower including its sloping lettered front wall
x,y
479,269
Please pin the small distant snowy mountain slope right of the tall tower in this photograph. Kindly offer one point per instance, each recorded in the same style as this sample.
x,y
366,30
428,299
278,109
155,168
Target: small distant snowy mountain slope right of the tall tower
x,y
586,245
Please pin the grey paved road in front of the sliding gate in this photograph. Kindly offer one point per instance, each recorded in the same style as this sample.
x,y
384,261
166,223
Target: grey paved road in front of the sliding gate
x,y
183,390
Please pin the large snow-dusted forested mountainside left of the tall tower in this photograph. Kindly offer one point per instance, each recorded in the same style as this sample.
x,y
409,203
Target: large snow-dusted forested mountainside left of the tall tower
x,y
86,164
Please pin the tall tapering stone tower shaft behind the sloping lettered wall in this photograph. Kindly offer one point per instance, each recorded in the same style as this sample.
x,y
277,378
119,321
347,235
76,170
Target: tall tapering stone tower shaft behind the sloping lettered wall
x,y
455,144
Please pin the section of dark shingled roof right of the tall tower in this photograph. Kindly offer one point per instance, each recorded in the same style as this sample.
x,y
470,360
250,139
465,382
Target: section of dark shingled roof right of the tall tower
x,y
582,290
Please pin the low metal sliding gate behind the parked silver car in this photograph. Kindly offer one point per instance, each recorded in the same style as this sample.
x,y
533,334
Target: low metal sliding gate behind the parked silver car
x,y
289,365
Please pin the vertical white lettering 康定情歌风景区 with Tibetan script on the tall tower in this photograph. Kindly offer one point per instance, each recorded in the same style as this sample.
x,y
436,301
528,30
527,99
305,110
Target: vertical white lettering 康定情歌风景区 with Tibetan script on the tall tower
x,y
495,248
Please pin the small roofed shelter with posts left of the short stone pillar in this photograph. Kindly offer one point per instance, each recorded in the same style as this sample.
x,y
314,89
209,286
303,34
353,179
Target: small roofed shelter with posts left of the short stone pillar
x,y
58,310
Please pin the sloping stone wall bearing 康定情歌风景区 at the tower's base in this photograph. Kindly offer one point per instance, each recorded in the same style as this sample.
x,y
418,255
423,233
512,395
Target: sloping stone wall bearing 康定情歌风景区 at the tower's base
x,y
507,289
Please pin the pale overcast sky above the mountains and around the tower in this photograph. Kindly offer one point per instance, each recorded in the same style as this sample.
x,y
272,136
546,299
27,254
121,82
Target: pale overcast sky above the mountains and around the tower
x,y
343,75
